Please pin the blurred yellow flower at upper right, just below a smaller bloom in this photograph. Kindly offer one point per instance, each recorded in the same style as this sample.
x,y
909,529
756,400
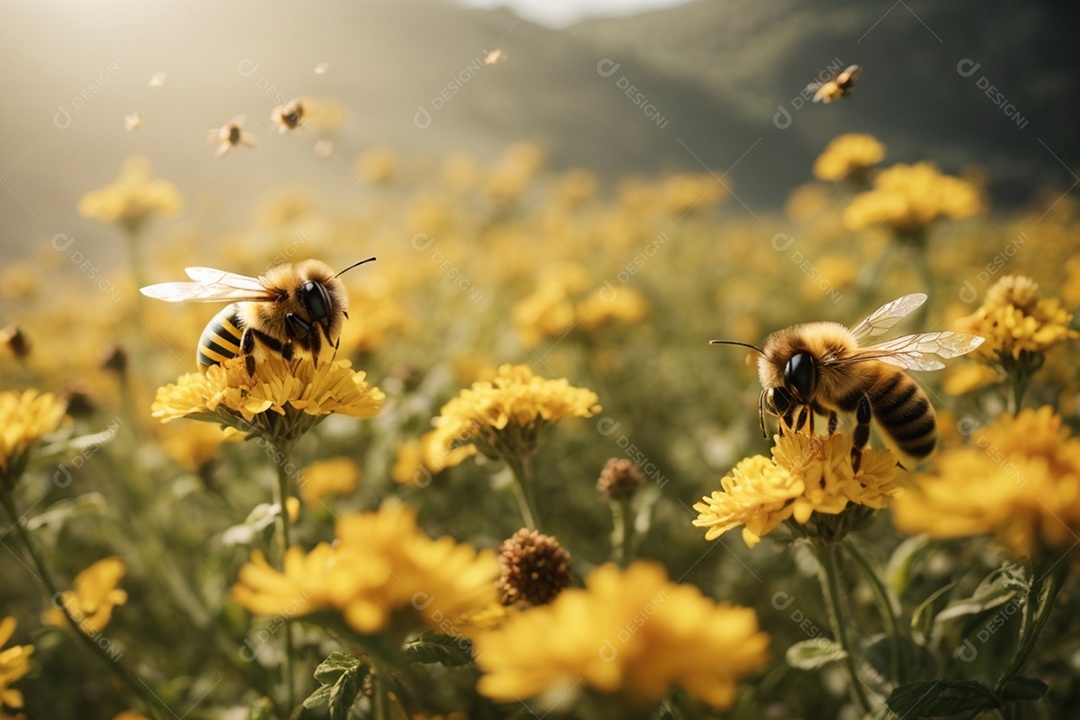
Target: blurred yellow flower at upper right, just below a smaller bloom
x,y
909,198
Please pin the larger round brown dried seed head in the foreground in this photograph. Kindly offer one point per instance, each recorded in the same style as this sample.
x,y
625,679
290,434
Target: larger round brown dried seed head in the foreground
x,y
535,569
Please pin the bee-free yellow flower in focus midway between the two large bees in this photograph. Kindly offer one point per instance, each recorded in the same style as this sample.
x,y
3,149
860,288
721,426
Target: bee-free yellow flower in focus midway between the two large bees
x,y
505,416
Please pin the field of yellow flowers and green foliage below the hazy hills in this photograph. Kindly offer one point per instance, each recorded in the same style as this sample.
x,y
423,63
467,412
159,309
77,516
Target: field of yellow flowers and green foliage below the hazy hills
x,y
524,484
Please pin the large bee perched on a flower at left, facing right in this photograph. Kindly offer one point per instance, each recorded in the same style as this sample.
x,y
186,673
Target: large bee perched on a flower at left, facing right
x,y
290,306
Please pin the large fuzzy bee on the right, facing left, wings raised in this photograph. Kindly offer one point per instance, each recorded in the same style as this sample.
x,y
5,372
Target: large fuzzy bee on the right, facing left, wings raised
x,y
821,369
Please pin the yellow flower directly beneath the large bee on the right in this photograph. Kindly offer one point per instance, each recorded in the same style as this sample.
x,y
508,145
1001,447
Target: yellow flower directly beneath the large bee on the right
x,y
809,477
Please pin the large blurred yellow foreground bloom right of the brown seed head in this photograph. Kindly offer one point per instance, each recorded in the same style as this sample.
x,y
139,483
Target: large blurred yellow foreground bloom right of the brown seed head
x,y
631,633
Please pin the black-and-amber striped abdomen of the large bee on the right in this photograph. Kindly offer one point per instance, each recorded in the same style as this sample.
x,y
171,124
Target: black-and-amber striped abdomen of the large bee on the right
x,y
901,410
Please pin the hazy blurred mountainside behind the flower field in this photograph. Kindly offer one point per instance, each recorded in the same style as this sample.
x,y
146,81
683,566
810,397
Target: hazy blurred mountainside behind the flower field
x,y
690,88
